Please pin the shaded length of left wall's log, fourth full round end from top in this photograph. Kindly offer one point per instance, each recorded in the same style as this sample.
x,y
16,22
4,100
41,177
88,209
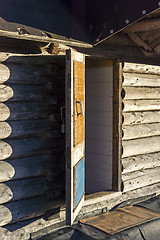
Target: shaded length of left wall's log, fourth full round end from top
x,y
33,127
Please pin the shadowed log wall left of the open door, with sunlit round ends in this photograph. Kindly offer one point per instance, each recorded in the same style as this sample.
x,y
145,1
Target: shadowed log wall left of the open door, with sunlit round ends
x,y
32,145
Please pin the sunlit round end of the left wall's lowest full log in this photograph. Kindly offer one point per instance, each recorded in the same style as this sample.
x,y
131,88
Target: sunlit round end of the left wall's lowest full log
x,y
5,215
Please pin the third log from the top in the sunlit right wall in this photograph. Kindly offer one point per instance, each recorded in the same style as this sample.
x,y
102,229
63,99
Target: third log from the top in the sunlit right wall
x,y
141,93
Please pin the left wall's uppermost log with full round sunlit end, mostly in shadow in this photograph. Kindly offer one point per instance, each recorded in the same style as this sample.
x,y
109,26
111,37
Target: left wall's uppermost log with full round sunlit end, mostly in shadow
x,y
29,74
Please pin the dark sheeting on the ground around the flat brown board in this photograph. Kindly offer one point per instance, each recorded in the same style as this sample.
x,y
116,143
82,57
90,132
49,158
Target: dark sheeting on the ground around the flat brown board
x,y
144,231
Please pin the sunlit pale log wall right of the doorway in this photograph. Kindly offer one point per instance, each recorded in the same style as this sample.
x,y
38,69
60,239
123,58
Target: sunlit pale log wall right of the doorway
x,y
141,126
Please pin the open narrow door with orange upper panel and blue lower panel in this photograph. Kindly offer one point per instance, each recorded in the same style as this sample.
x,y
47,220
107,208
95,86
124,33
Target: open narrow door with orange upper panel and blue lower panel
x,y
75,133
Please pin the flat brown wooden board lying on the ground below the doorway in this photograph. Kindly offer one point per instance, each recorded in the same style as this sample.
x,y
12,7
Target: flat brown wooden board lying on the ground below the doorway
x,y
121,219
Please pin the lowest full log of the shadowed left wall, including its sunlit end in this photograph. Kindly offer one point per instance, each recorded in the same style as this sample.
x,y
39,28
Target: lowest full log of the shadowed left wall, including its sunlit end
x,y
26,209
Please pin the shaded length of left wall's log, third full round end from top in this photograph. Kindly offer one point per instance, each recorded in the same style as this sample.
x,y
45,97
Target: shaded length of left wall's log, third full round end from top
x,y
29,110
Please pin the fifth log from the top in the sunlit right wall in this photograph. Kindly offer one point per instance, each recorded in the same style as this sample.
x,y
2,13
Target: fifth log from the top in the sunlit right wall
x,y
141,117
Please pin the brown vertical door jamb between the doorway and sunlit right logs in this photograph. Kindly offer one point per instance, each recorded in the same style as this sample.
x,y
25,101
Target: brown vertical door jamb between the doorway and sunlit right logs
x,y
117,126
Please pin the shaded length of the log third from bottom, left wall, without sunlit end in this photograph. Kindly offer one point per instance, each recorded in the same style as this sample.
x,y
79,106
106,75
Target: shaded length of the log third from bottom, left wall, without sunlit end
x,y
43,165
